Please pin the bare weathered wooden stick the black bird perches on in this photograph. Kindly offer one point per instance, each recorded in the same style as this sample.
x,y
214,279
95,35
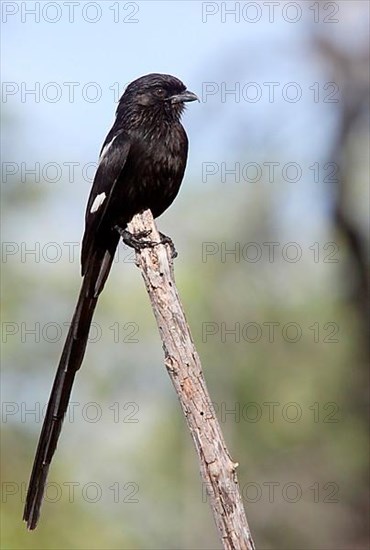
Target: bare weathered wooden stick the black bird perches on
x,y
184,367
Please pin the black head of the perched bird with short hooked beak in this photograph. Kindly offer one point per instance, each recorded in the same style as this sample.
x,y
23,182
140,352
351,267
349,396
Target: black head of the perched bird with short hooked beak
x,y
153,94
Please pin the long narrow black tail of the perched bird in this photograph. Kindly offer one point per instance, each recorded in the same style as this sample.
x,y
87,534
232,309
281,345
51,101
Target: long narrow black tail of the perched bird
x,y
70,362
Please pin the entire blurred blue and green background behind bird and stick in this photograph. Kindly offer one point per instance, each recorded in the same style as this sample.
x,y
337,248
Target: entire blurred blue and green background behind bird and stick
x,y
271,226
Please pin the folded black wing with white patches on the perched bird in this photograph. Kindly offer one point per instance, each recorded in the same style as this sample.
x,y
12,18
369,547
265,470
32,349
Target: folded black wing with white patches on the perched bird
x,y
113,158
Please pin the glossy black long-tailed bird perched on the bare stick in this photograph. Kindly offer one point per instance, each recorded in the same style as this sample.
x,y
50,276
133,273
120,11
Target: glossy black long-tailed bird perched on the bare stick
x,y
142,163
